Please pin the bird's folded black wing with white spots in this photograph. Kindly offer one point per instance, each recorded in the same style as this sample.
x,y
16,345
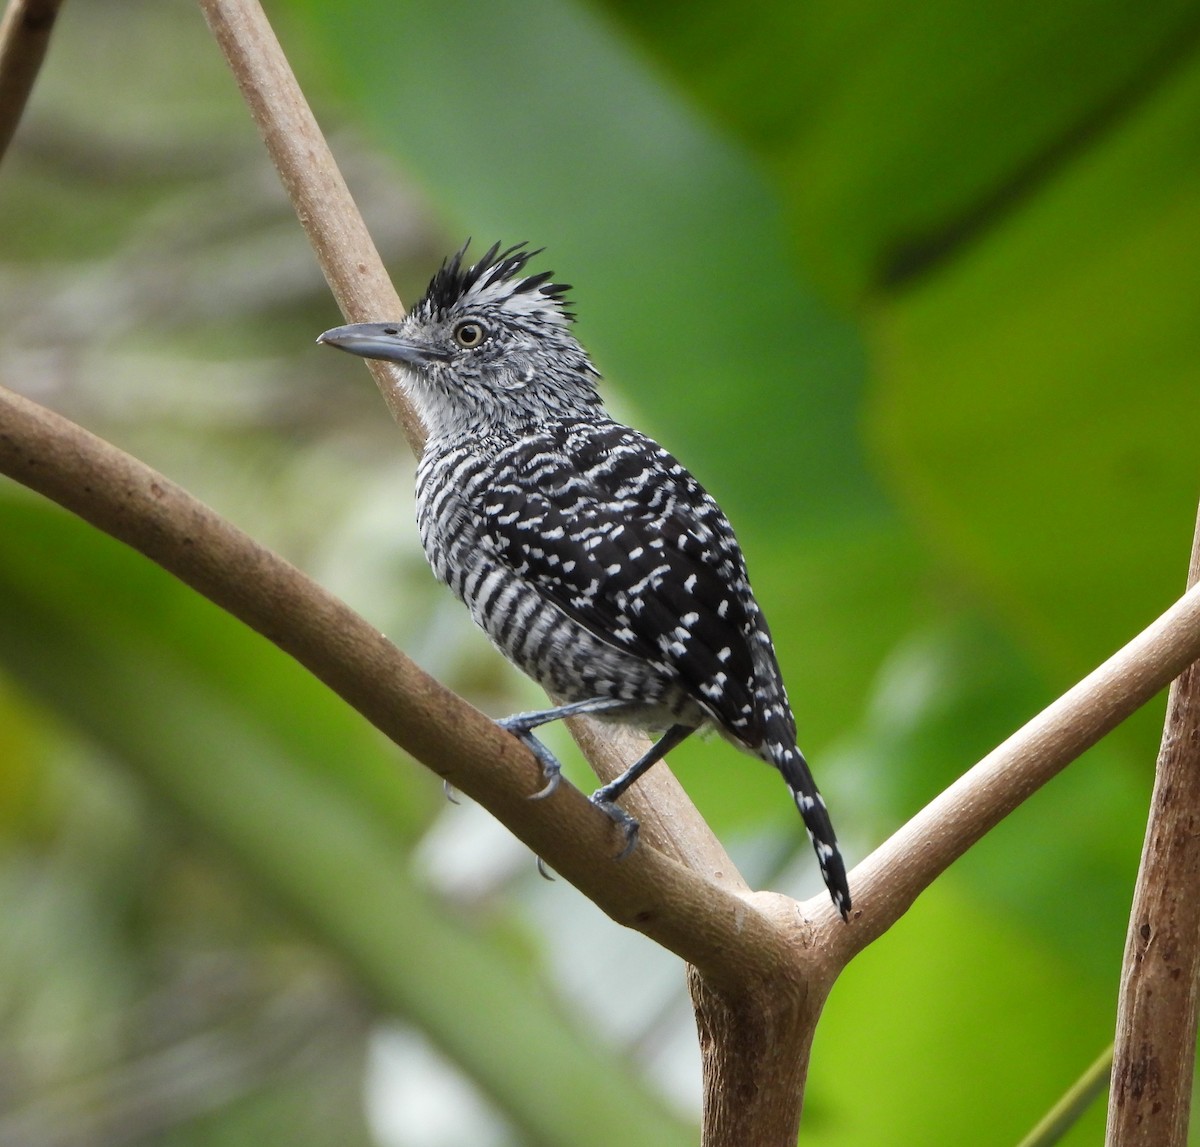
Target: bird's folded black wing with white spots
x,y
626,542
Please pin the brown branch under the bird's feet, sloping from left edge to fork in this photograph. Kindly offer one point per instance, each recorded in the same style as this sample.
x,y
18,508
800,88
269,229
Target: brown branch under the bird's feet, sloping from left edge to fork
x,y
695,917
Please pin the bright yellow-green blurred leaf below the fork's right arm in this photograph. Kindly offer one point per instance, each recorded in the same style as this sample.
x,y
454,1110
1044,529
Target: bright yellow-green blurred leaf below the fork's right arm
x,y
968,1041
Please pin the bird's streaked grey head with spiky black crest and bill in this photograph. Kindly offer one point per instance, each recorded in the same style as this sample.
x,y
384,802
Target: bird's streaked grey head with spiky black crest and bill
x,y
485,349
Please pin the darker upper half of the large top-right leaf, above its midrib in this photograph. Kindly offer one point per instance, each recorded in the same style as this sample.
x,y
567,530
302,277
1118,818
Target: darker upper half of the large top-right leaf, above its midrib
x,y
899,134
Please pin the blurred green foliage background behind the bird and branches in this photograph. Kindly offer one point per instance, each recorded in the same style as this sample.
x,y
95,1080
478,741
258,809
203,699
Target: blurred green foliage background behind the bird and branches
x,y
914,291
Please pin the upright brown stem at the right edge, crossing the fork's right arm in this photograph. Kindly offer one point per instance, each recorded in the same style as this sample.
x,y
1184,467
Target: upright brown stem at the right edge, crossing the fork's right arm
x,y
1156,1032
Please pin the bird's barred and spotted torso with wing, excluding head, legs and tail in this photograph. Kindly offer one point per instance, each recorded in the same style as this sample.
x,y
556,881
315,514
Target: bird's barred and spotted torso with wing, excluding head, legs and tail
x,y
602,568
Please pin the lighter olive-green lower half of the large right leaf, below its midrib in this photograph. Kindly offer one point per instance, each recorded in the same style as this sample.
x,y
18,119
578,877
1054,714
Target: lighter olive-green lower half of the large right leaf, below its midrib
x,y
1037,399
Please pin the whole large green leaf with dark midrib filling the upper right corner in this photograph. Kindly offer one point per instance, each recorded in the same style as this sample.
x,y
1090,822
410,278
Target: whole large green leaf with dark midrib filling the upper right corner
x,y
1009,189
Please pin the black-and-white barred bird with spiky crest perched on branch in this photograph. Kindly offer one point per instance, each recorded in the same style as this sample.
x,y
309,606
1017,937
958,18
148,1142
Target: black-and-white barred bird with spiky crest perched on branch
x,y
590,556
